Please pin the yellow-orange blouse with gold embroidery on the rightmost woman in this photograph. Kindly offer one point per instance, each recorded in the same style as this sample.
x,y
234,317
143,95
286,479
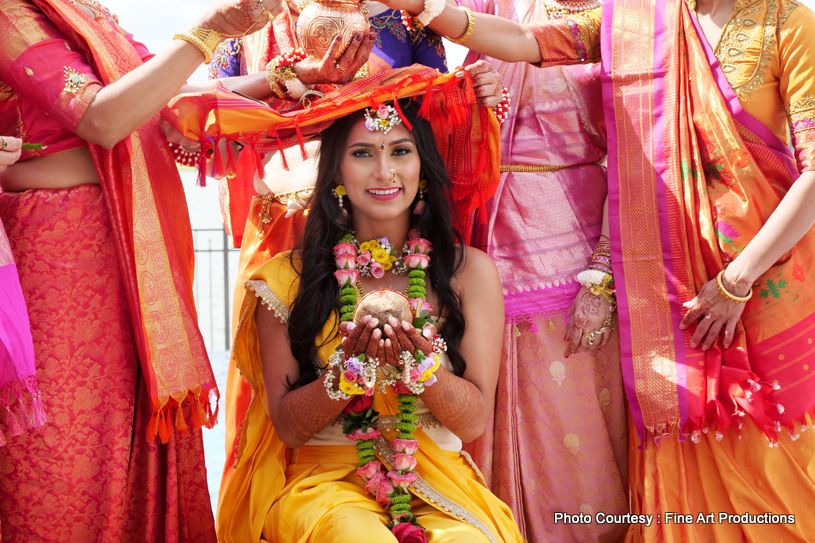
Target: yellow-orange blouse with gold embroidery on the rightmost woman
x,y
766,51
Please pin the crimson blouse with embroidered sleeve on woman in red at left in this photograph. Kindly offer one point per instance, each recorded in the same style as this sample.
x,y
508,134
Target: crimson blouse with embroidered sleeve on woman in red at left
x,y
46,81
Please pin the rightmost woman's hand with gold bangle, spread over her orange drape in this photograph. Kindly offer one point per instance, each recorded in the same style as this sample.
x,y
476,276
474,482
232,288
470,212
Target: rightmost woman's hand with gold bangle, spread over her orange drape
x,y
712,313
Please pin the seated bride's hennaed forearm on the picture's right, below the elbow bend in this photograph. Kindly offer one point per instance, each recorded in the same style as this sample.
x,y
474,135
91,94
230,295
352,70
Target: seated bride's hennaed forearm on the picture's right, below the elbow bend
x,y
458,404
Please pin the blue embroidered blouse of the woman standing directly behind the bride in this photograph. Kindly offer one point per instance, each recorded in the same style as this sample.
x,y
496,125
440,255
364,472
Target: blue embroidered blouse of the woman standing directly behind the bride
x,y
395,47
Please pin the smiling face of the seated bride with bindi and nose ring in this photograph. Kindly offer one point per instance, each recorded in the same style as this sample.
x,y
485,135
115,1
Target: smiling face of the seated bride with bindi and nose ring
x,y
380,172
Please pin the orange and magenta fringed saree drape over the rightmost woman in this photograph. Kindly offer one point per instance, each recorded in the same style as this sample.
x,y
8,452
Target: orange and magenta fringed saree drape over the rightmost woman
x,y
692,179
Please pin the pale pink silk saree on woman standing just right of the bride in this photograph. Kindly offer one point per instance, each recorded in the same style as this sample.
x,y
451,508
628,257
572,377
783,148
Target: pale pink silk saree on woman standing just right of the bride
x,y
558,437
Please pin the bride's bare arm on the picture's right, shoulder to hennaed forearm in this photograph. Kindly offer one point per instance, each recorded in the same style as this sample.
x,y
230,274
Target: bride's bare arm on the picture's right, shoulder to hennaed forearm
x,y
464,404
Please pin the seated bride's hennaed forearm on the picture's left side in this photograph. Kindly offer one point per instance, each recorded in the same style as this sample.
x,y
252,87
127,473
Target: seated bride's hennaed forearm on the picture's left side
x,y
305,411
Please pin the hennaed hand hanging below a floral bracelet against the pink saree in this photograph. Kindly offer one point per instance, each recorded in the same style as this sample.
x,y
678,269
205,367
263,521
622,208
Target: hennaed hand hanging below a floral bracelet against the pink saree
x,y
588,314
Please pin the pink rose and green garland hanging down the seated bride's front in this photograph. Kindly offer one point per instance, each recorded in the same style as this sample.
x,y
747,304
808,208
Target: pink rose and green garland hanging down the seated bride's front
x,y
358,378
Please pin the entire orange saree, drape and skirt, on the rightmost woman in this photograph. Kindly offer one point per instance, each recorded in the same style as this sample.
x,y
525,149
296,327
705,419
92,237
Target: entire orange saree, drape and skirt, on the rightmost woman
x,y
692,178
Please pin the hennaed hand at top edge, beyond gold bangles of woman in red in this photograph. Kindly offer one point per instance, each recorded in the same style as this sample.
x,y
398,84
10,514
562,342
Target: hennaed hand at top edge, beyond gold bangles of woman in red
x,y
232,18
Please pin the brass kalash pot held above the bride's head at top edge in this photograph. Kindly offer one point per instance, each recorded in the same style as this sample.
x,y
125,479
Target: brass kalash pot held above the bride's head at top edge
x,y
321,20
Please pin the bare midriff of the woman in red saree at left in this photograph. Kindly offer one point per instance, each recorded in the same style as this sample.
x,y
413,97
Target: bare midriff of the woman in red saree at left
x,y
58,171
